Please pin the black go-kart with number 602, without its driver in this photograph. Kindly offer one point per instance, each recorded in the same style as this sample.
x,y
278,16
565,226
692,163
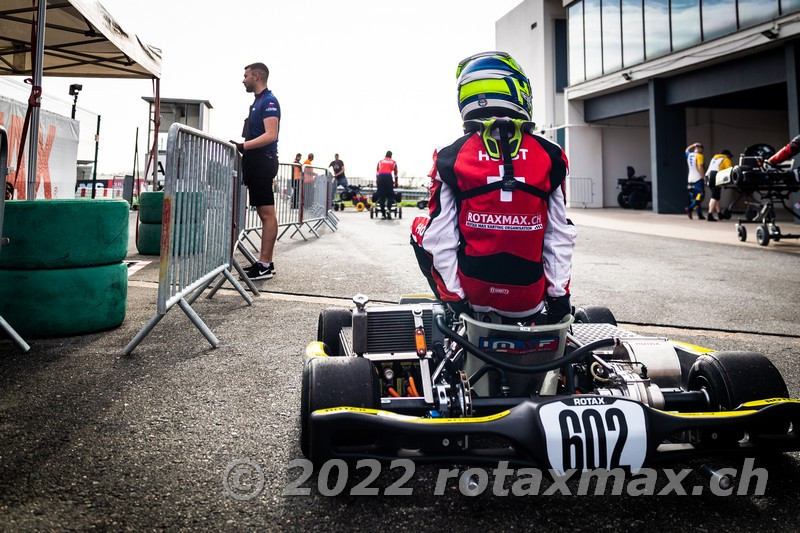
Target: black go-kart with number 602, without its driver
x,y
416,381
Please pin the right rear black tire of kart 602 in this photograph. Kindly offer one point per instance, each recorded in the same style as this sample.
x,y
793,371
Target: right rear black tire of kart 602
x,y
733,378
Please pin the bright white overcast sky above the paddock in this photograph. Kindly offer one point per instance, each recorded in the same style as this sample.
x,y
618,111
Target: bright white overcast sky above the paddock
x,y
354,77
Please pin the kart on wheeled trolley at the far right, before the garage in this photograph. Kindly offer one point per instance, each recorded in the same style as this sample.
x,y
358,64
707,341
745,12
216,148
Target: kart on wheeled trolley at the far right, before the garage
x,y
754,176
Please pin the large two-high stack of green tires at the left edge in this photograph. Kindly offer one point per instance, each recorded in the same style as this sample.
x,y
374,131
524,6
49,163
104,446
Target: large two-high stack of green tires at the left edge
x,y
63,271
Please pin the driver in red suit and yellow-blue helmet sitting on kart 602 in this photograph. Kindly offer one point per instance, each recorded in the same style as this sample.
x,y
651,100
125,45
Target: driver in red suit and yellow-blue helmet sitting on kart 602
x,y
498,239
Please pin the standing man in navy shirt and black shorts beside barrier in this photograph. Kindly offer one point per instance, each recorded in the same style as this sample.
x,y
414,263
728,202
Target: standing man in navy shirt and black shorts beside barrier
x,y
260,163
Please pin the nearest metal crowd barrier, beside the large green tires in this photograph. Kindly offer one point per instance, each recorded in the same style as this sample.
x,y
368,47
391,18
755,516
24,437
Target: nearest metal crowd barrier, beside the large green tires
x,y
201,192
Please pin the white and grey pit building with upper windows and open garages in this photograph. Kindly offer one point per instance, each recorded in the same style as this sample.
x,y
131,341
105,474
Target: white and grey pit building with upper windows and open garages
x,y
646,78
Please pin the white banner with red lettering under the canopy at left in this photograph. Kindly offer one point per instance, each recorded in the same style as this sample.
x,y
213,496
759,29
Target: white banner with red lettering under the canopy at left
x,y
58,151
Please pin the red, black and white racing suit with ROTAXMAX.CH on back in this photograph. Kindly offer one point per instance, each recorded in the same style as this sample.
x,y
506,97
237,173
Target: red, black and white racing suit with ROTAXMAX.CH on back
x,y
502,250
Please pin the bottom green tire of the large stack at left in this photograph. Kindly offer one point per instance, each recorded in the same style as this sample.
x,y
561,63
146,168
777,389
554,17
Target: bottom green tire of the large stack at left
x,y
62,302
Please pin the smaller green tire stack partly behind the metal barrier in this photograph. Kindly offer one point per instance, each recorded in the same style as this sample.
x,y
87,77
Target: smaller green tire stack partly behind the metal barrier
x,y
148,236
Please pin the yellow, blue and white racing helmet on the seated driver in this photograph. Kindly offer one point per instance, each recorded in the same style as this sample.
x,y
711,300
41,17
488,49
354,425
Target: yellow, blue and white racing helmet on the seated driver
x,y
492,84
